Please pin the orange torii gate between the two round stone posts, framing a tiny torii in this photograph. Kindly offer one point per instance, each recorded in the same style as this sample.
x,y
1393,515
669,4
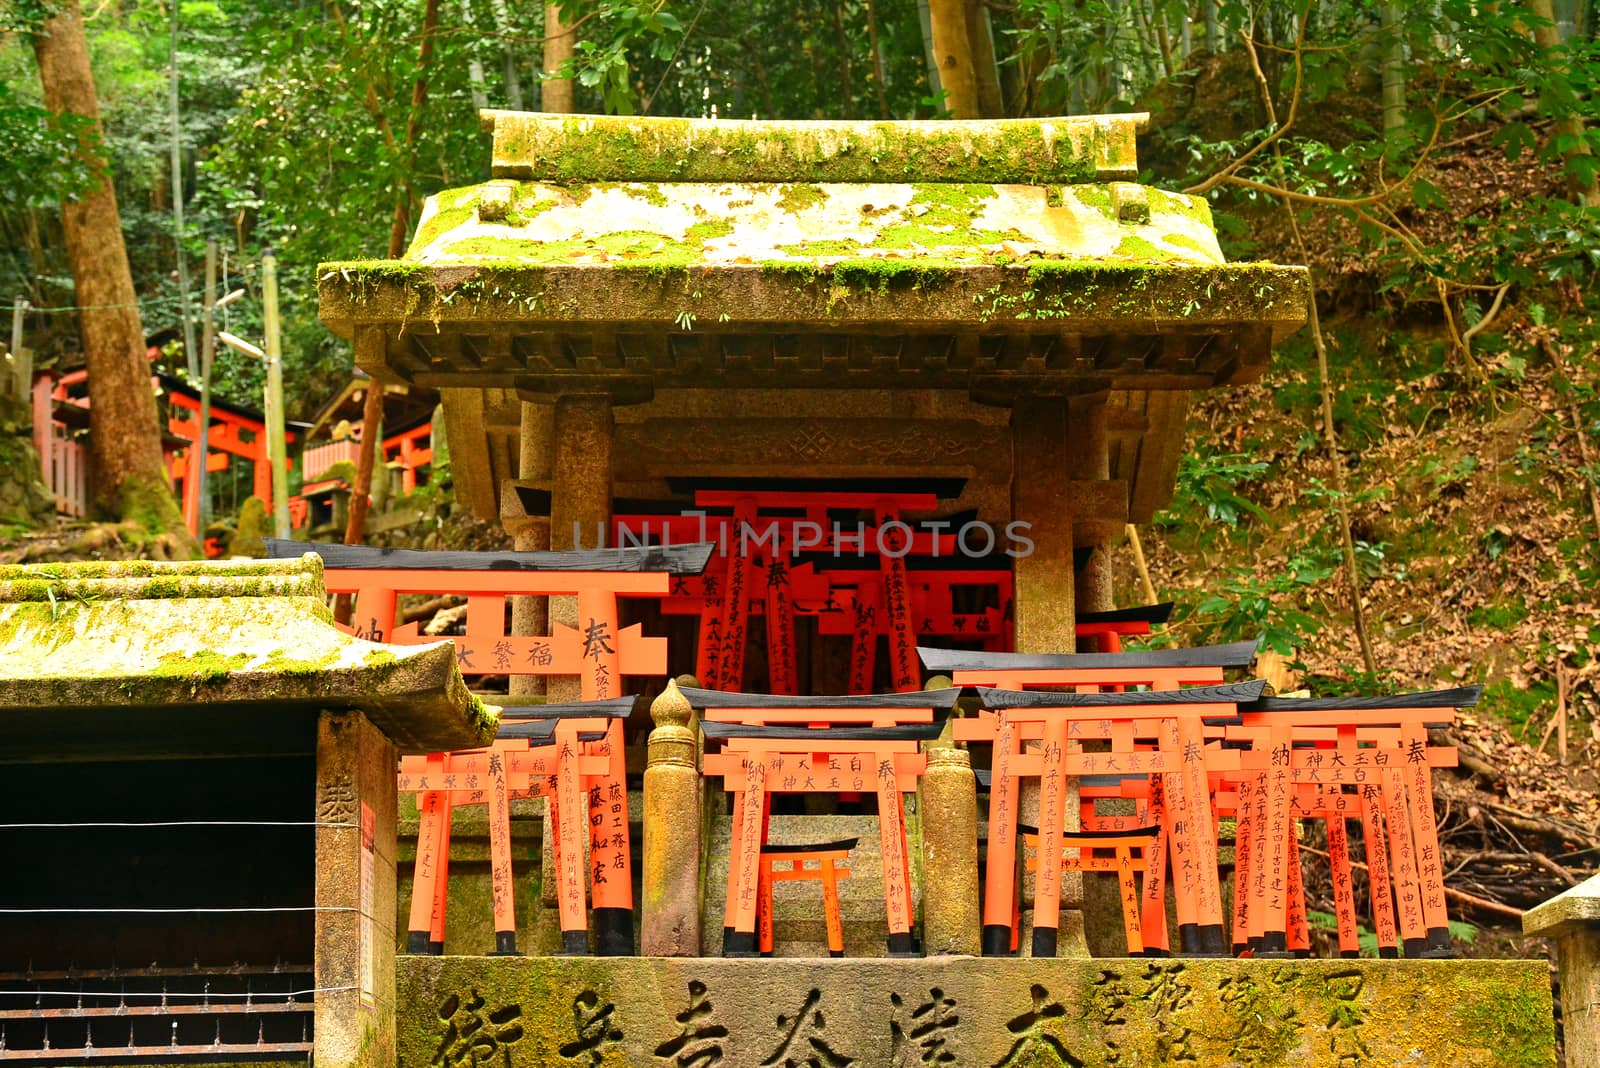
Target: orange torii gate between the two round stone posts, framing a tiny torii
x,y
782,744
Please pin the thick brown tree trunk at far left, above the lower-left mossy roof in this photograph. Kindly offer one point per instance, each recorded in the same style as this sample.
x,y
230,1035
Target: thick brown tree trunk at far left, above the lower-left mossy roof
x,y
126,440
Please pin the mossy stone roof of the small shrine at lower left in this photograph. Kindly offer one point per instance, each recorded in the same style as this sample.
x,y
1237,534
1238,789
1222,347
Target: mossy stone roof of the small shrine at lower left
x,y
244,640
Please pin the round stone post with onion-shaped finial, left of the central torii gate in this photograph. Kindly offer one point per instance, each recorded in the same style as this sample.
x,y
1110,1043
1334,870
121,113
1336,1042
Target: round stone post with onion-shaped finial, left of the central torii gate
x,y
671,883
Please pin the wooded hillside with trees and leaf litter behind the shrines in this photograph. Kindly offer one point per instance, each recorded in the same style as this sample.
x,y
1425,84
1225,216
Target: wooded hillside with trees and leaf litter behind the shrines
x,y
1412,498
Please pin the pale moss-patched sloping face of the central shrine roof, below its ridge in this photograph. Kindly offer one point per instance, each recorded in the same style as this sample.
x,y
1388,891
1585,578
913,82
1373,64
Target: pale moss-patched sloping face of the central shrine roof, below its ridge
x,y
705,223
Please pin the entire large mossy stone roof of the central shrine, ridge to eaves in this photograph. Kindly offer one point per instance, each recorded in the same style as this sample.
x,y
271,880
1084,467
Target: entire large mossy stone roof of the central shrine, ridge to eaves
x,y
1001,257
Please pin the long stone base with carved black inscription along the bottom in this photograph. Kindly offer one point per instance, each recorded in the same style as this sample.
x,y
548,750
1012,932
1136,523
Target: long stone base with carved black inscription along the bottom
x,y
681,1013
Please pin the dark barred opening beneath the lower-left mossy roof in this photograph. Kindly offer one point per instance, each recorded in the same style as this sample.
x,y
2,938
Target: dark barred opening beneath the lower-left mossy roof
x,y
161,906
